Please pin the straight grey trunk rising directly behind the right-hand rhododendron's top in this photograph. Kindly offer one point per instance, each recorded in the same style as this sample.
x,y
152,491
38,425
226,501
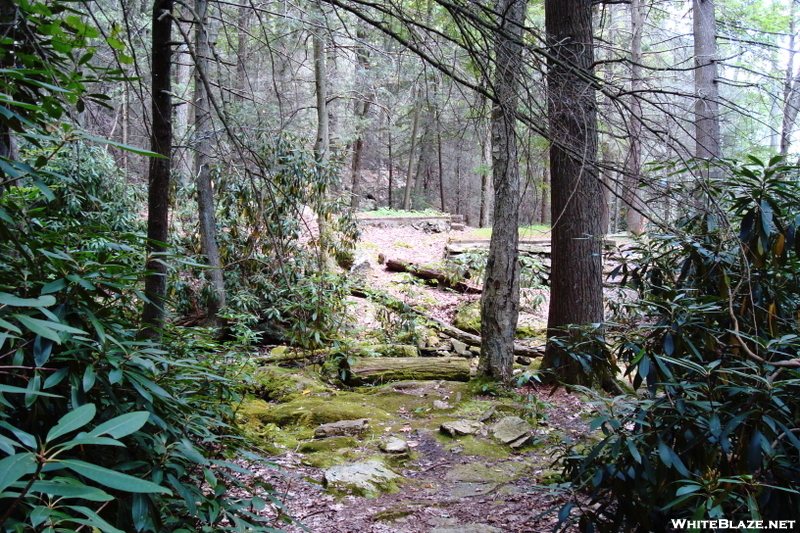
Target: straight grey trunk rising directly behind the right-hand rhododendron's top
x,y
707,132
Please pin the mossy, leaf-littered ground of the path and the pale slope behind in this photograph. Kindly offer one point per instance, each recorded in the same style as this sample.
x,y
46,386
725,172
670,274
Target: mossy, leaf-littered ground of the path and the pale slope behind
x,y
448,484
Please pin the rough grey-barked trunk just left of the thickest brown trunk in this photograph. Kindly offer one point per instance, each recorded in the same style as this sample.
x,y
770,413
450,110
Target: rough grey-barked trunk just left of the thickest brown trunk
x,y
500,299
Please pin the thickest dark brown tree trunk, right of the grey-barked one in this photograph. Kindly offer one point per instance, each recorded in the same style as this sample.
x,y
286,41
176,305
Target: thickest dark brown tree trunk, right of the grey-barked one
x,y
576,290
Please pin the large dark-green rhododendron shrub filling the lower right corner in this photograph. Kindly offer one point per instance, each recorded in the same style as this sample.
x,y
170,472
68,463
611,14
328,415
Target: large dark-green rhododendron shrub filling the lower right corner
x,y
712,431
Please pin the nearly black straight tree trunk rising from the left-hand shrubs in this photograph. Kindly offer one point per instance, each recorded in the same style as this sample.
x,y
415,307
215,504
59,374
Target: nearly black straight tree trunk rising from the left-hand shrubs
x,y
155,283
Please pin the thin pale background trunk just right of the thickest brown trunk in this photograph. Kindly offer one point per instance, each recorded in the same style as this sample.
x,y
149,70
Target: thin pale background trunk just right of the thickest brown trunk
x,y
633,164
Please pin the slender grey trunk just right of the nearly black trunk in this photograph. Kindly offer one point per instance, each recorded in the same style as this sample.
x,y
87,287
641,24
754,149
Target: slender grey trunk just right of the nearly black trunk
x,y
205,192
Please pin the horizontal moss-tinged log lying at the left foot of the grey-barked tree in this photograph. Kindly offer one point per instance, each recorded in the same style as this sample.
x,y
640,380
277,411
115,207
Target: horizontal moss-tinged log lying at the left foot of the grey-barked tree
x,y
385,369
